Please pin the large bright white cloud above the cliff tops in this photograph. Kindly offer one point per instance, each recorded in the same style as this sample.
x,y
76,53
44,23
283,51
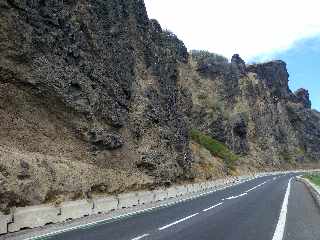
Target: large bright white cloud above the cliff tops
x,y
247,27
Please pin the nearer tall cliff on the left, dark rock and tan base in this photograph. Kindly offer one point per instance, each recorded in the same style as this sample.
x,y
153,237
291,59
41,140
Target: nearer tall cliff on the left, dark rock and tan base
x,y
91,89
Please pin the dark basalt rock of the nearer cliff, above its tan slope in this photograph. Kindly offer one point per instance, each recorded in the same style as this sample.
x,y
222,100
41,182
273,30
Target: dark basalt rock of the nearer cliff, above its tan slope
x,y
92,57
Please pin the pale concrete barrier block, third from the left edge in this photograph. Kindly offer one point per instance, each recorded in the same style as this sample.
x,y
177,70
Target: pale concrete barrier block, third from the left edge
x,y
75,209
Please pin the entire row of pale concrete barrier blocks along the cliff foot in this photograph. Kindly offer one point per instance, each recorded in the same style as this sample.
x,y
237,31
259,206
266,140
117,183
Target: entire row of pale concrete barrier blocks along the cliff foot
x,y
41,215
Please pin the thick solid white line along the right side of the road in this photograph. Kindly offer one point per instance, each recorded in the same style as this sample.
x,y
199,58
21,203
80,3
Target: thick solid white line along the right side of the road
x,y
279,232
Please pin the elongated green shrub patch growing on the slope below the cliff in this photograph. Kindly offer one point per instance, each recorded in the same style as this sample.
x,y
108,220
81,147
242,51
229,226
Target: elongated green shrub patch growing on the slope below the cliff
x,y
215,147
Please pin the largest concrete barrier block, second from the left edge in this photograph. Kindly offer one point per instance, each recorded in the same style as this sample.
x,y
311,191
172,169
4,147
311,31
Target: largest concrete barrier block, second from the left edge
x,y
35,216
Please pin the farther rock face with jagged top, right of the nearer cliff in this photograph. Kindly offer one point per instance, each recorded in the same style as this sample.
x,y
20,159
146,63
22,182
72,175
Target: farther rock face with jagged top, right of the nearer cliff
x,y
253,111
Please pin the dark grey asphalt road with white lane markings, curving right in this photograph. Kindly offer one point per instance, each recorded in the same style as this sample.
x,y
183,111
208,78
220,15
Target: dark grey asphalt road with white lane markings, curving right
x,y
252,210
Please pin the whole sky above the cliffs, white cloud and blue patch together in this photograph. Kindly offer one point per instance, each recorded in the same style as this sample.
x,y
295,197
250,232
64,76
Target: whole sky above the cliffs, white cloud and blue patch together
x,y
258,30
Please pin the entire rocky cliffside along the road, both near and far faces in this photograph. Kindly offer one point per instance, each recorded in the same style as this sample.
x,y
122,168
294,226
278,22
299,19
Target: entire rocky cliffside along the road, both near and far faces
x,y
96,98
